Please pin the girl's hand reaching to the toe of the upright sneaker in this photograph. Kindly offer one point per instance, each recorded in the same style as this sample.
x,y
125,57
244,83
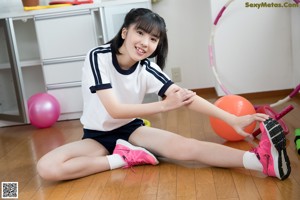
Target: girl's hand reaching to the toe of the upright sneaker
x,y
241,122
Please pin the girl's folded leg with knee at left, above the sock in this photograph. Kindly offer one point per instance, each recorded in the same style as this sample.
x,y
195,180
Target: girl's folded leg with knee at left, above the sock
x,y
73,160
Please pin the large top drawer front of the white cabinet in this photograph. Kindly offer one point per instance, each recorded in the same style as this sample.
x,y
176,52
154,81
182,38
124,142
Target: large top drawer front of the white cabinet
x,y
65,34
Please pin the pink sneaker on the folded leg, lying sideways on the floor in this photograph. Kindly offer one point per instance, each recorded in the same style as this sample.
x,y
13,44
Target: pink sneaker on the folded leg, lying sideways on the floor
x,y
133,155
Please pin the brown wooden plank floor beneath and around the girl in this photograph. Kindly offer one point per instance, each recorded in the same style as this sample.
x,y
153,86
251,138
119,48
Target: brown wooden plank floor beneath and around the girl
x,y
22,146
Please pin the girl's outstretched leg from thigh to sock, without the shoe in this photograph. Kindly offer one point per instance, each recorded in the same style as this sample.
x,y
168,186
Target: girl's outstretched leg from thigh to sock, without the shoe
x,y
170,145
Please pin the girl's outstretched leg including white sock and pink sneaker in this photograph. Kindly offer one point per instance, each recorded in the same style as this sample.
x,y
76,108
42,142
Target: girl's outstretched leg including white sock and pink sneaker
x,y
269,157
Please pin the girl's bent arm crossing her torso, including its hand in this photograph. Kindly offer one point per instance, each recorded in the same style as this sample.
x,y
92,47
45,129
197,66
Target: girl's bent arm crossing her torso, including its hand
x,y
175,98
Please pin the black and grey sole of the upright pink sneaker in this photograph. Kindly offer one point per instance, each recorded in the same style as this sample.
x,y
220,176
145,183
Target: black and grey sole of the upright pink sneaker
x,y
281,160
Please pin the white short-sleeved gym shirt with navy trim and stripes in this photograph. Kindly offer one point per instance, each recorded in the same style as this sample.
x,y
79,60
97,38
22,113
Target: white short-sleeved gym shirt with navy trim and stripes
x,y
102,71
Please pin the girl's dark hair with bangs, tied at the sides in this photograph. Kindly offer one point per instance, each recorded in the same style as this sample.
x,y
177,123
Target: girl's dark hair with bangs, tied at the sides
x,y
151,23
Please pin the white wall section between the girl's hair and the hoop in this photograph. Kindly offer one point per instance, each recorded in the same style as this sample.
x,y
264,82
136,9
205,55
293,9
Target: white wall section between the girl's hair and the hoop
x,y
188,23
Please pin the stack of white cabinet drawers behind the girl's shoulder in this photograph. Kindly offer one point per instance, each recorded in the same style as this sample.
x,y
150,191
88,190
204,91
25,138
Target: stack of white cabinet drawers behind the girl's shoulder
x,y
64,39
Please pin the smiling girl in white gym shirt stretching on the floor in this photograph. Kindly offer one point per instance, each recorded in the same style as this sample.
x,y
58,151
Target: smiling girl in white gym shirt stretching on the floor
x,y
115,78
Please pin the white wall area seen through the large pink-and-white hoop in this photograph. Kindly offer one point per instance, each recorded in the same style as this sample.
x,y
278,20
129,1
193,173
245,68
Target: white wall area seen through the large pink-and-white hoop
x,y
253,47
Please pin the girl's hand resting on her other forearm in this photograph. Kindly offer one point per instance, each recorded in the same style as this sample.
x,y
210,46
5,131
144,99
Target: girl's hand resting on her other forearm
x,y
177,97
